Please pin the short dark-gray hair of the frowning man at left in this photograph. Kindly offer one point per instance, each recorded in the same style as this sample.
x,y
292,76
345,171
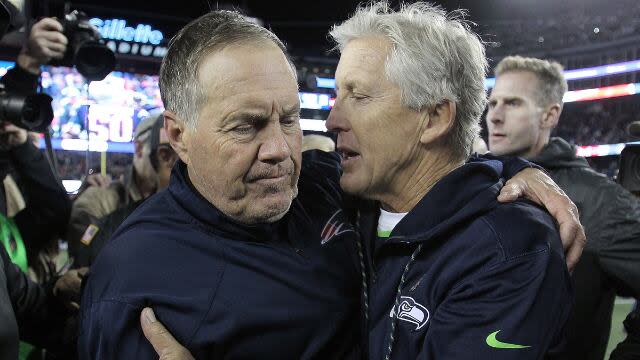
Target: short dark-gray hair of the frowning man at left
x,y
180,87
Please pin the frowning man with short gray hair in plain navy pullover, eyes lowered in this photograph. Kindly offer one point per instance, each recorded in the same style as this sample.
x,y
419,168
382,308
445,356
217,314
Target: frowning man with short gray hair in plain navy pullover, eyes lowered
x,y
237,258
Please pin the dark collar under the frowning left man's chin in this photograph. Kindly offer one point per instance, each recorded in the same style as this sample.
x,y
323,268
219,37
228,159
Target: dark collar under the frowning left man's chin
x,y
208,215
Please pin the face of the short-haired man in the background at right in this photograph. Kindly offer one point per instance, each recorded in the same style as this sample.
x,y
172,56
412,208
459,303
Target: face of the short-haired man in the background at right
x,y
514,117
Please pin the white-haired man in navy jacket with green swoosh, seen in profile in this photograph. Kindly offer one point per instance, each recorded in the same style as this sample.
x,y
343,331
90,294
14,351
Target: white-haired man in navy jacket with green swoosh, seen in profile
x,y
453,273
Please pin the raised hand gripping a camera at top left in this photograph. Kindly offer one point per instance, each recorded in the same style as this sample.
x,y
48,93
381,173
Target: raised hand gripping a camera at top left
x,y
45,42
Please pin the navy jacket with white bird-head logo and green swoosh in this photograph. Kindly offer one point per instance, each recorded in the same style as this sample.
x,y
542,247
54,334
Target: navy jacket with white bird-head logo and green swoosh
x,y
464,277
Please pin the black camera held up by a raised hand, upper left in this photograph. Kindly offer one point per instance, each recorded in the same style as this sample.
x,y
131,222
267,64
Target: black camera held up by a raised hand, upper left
x,y
86,50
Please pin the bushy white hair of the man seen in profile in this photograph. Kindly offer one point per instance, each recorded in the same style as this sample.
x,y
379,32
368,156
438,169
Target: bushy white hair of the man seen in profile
x,y
435,58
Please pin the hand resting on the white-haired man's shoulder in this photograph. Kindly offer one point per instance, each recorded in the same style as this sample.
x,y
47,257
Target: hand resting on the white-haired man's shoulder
x,y
536,186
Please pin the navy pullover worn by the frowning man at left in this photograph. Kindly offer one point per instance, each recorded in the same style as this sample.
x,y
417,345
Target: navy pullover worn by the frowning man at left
x,y
288,290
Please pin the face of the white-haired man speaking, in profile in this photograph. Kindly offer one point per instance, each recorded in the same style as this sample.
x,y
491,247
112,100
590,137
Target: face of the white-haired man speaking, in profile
x,y
377,135
